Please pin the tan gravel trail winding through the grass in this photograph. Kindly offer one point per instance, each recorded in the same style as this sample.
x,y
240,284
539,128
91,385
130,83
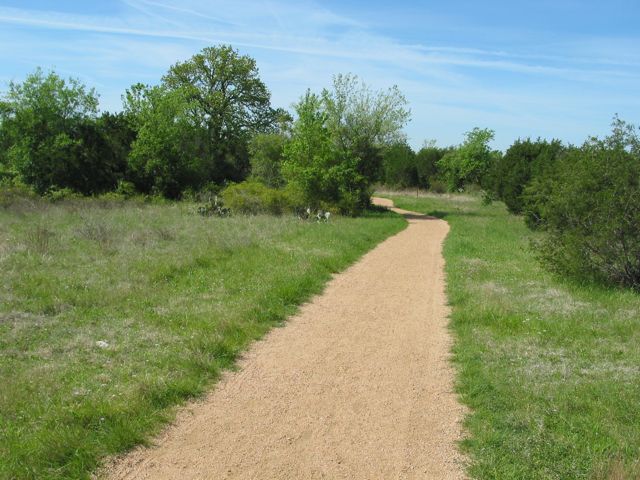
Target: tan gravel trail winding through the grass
x,y
356,386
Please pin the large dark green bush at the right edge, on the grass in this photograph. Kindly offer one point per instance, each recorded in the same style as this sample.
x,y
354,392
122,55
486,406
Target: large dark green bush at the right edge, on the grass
x,y
589,206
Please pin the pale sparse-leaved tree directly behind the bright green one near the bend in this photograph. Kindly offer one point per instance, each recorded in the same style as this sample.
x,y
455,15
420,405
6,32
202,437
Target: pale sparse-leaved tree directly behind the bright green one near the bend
x,y
363,122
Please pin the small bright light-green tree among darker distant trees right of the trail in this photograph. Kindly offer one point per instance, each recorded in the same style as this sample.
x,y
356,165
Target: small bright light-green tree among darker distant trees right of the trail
x,y
470,162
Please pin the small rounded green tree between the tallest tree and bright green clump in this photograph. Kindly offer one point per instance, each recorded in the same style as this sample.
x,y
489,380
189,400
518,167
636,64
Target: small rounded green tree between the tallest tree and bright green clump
x,y
265,154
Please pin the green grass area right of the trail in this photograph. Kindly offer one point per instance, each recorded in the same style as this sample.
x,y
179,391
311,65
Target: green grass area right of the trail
x,y
550,369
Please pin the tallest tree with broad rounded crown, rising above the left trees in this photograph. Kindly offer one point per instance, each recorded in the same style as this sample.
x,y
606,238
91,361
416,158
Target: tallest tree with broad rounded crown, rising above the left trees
x,y
228,99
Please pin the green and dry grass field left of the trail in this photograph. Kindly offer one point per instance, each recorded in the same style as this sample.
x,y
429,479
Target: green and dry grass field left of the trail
x,y
111,314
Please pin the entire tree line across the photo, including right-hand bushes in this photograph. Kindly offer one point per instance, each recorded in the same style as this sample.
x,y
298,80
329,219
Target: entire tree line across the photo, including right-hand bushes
x,y
209,126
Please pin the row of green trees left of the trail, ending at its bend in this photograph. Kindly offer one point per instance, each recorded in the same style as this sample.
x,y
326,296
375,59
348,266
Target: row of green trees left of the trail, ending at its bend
x,y
207,124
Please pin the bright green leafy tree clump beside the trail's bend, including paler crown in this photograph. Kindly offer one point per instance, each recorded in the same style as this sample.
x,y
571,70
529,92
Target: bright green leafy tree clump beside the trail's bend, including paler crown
x,y
337,140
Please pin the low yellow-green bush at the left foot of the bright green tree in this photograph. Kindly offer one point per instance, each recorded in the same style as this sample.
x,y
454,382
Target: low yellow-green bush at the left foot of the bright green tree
x,y
253,198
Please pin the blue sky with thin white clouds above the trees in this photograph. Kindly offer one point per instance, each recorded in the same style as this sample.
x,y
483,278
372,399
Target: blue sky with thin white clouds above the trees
x,y
554,69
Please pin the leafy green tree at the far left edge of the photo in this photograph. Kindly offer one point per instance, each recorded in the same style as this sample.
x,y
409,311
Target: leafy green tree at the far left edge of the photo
x,y
49,127
